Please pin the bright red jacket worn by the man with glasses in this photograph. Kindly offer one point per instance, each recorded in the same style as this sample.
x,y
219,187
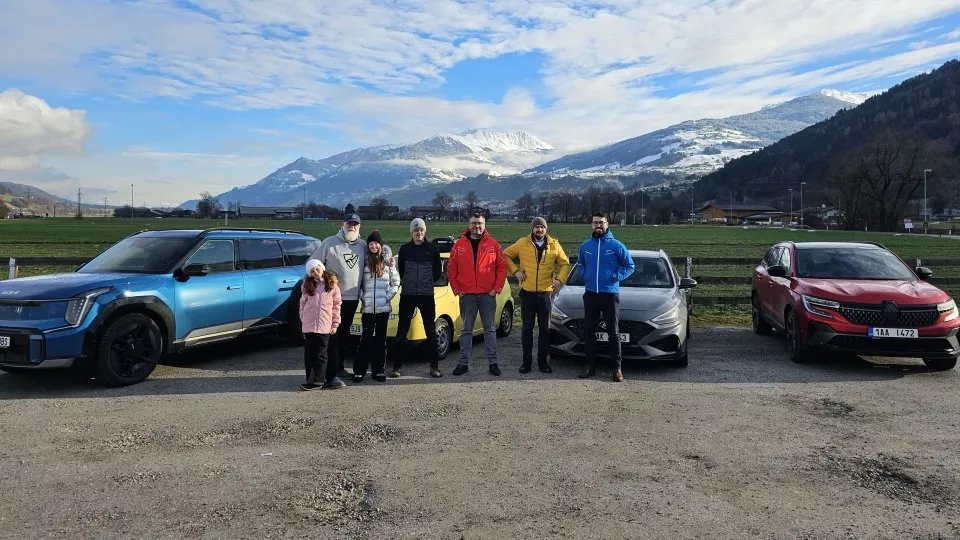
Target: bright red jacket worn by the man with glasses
x,y
489,272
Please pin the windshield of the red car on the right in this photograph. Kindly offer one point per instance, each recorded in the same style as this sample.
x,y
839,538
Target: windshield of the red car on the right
x,y
851,264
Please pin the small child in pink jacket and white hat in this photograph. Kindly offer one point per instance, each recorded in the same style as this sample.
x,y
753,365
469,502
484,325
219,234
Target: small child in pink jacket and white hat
x,y
319,318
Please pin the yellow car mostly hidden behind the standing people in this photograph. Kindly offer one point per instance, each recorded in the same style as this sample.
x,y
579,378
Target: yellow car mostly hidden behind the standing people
x,y
448,323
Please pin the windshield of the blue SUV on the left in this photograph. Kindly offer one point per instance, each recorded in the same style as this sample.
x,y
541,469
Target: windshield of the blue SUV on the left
x,y
141,255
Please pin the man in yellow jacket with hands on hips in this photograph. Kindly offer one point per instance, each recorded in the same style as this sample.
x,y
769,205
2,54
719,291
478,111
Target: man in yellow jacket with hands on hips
x,y
543,269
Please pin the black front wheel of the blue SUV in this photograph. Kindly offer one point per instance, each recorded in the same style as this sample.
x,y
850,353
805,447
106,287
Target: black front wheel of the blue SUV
x,y
128,350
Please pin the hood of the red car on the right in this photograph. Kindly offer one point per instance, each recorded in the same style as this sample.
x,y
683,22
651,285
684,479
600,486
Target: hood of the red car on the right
x,y
874,292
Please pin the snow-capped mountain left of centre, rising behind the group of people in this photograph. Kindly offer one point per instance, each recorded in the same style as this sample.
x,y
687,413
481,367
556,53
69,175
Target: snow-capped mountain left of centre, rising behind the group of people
x,y
365,172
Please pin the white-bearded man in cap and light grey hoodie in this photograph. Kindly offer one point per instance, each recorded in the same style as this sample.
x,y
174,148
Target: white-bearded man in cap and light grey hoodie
x,y
345,255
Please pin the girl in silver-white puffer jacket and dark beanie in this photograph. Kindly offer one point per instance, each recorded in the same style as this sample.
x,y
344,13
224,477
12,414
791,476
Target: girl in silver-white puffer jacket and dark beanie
x,y
380,284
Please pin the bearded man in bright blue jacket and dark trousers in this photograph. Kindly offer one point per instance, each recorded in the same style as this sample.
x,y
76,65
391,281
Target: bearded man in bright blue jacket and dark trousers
x,y
604,262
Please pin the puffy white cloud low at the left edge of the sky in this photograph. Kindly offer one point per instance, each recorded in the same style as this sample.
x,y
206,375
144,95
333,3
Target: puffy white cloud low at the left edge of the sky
x,y
30,128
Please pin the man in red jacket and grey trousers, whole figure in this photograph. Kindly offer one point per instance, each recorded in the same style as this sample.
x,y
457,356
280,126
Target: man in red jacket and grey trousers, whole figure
x,y
477,271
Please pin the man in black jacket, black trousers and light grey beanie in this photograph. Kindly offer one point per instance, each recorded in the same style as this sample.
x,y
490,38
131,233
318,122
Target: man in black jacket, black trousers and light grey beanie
x,y
419,264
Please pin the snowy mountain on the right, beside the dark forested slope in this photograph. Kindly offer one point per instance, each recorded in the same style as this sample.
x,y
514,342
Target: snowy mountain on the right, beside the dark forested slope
x,y
701,146
